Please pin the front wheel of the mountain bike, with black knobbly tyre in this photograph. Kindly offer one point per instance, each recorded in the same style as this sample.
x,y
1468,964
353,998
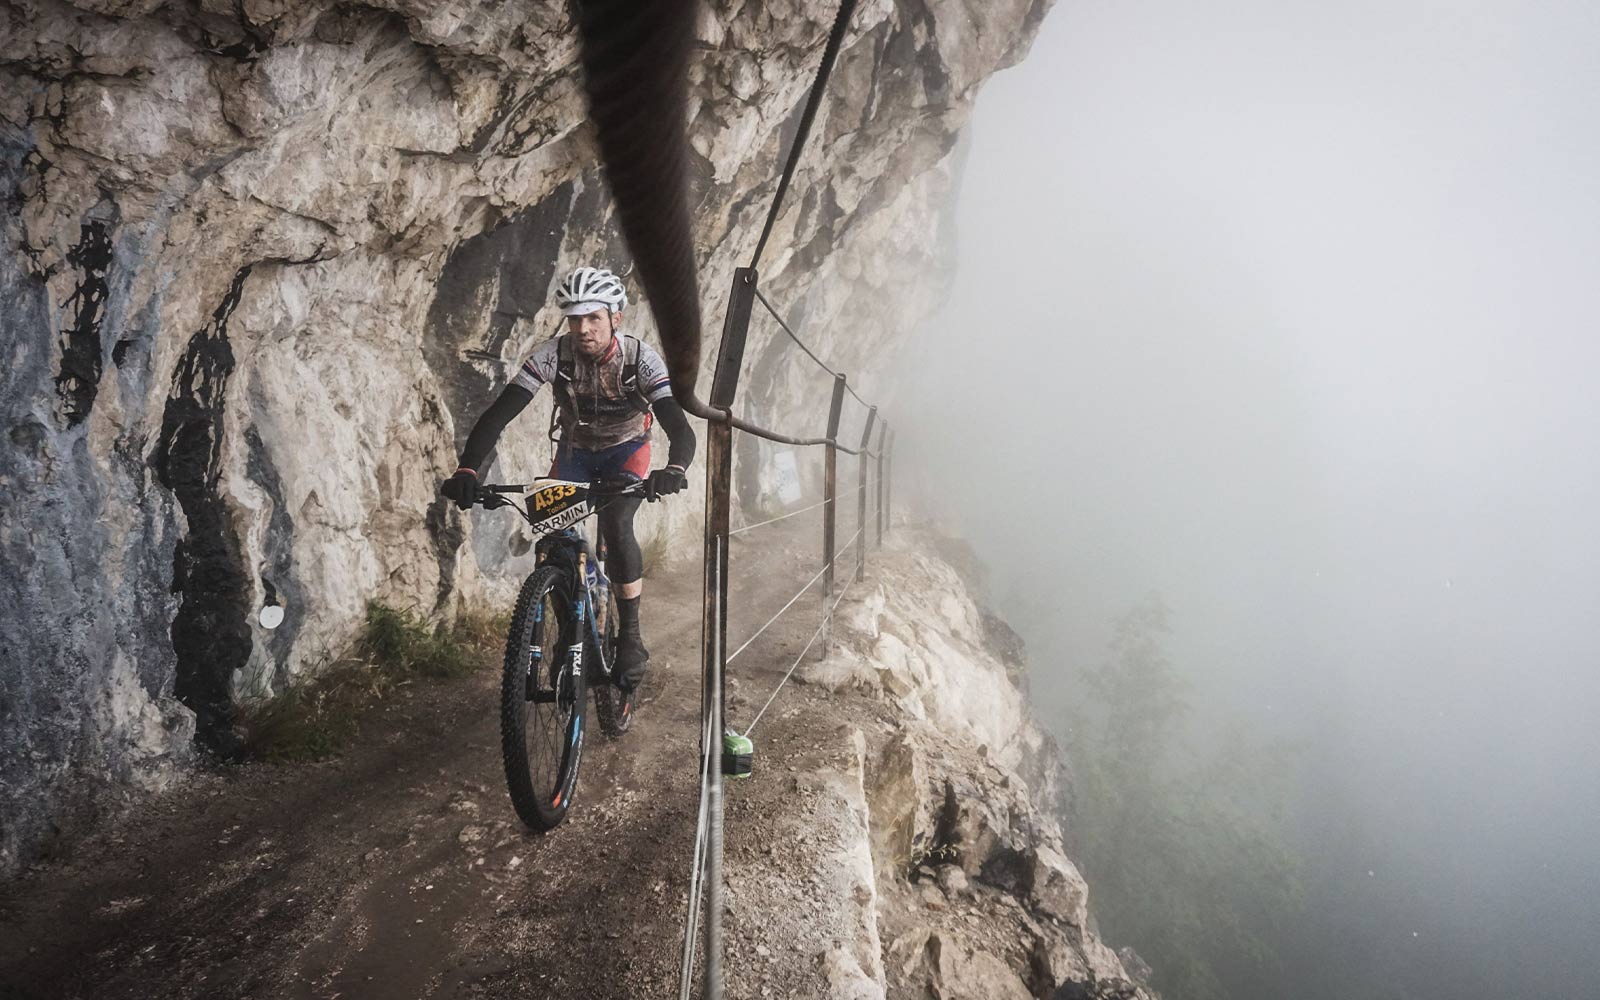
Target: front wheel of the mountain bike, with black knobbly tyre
x,y
543,702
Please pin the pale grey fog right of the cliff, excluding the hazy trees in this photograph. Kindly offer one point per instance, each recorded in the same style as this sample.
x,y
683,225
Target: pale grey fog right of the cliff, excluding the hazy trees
x,y
1287,313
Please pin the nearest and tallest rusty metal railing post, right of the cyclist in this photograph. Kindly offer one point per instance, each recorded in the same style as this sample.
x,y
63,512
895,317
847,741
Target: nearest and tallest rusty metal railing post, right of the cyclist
x,y
714,620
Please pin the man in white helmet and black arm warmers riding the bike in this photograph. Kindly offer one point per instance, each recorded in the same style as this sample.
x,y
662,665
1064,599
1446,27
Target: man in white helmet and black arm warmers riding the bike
x,y
609,386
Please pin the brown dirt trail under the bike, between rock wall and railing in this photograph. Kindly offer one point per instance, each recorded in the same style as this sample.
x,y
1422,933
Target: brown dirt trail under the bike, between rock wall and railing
x,y
399,870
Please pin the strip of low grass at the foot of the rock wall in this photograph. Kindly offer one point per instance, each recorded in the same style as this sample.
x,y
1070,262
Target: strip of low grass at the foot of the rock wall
x,y
398,647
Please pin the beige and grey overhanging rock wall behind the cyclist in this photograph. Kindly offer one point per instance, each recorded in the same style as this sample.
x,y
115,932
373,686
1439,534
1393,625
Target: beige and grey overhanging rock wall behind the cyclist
x,y
263,263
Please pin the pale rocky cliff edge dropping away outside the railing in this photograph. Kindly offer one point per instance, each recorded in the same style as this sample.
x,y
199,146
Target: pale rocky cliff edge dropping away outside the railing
x,y
903,834
